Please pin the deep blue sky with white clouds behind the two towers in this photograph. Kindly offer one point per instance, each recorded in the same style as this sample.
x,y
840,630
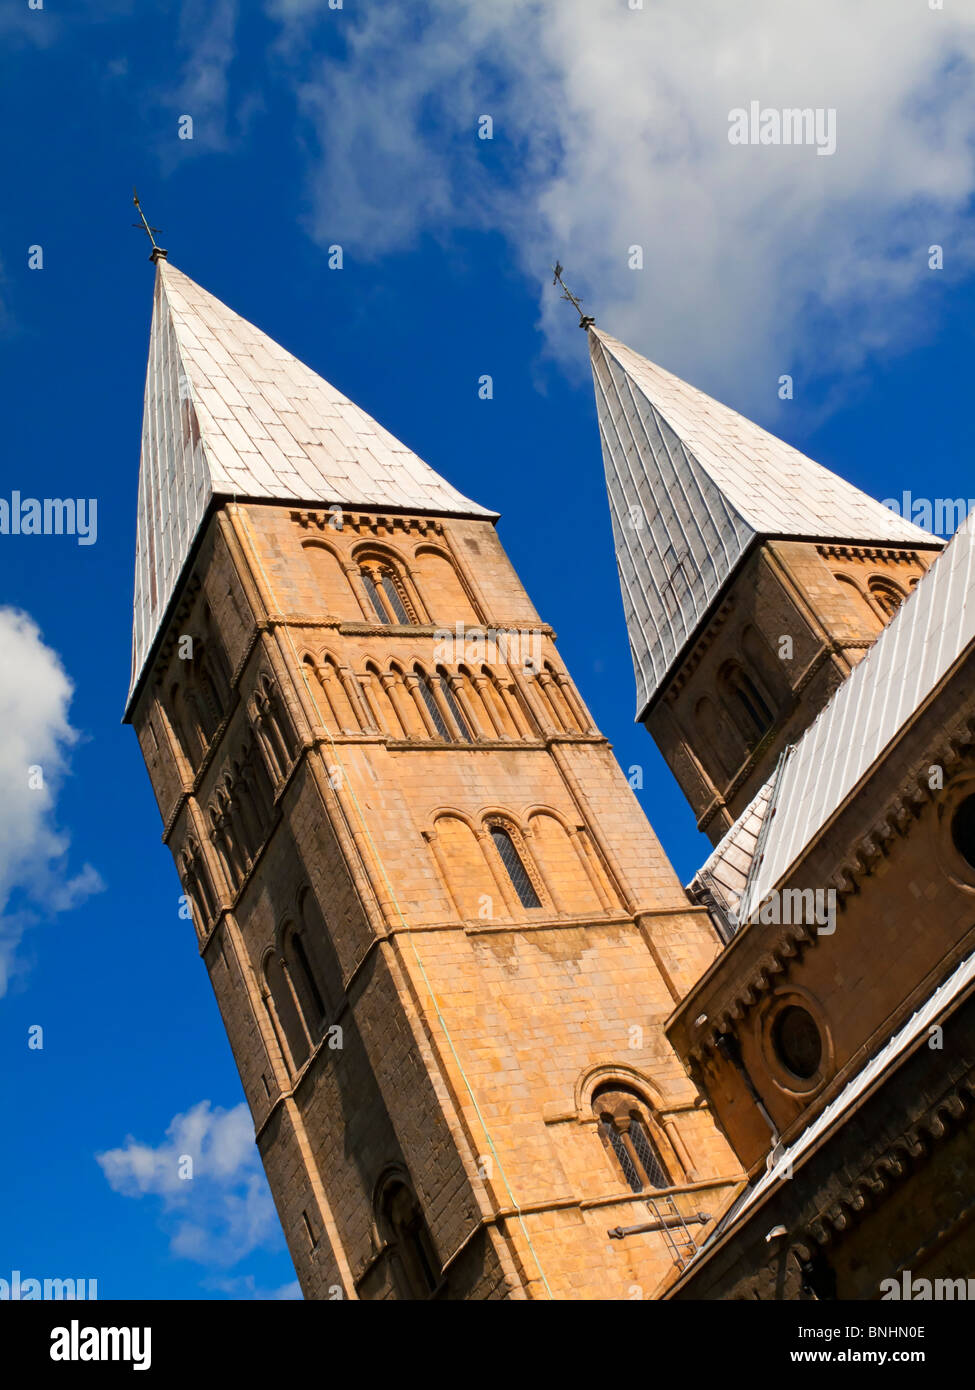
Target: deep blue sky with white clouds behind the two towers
x,y
360,126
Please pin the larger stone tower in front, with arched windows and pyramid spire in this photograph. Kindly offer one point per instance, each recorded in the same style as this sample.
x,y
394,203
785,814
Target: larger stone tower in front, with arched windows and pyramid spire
x,y
442,935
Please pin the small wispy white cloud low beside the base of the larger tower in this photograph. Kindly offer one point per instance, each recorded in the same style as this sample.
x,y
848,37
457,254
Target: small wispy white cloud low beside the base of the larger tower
x,y
225,1210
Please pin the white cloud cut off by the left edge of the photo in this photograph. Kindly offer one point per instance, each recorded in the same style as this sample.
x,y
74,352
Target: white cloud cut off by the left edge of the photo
x,y
35,694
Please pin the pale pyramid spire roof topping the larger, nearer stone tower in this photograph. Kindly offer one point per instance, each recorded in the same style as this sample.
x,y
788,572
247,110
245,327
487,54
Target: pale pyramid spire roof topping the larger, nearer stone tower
x,y
230,414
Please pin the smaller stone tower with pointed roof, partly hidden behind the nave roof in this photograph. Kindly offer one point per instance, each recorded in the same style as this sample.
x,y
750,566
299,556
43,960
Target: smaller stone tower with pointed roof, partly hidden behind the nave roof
x,y
753,579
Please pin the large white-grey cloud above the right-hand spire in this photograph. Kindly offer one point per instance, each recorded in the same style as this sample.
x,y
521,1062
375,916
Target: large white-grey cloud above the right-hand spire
x,y
611,131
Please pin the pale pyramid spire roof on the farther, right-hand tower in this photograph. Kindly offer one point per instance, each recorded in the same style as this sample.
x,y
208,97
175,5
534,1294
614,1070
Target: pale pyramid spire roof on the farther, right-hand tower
x,y
692,486
